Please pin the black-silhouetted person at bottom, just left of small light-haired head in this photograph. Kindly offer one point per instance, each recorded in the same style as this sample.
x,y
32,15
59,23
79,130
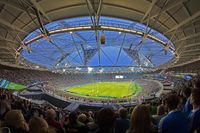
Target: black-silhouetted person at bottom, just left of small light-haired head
x,y
73,125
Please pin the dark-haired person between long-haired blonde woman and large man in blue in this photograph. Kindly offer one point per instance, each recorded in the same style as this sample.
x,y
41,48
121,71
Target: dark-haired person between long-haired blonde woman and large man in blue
x,y
160,114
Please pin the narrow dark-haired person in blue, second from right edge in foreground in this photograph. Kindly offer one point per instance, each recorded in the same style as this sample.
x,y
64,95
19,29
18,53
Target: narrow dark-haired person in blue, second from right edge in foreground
x,y
187,107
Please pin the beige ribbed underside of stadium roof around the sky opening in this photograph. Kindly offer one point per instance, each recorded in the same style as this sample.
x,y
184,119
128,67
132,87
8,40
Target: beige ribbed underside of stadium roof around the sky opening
x,y
177,20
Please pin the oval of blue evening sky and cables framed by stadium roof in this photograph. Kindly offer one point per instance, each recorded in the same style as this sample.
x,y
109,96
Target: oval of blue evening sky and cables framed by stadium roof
x,y
72,43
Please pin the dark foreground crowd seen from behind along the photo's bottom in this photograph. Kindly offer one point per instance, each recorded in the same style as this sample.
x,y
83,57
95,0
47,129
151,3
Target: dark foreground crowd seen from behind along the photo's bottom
x,y
177,112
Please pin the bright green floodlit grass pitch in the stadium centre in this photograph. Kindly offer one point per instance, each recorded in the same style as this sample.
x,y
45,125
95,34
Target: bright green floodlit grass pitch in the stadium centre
x,y
105,90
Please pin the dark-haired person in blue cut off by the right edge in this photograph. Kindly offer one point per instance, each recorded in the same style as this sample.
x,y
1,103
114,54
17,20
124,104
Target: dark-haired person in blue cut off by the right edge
x,y
194,116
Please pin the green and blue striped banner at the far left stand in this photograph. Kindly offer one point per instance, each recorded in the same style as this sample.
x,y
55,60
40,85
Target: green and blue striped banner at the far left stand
x,y
5,84
